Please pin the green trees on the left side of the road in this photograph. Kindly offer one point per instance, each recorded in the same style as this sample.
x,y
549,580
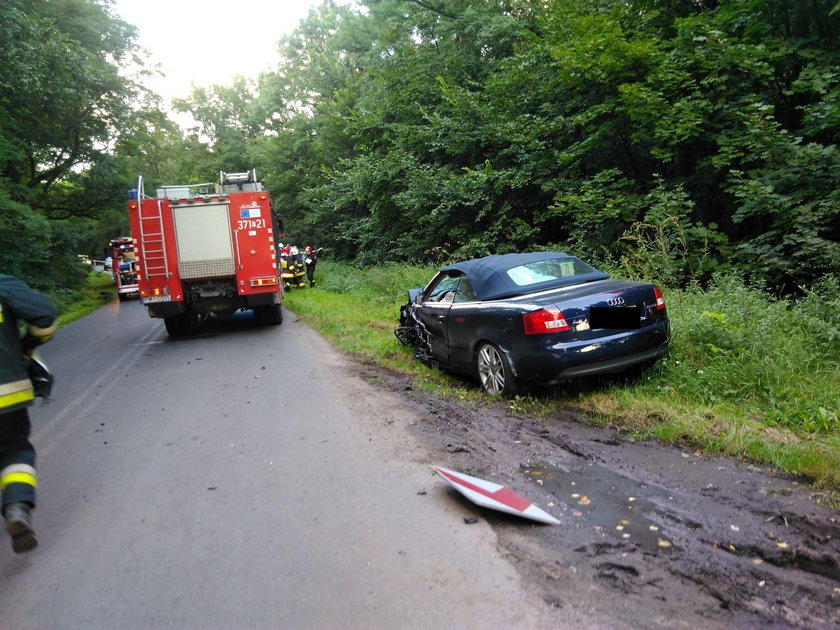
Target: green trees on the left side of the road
x,y
63,103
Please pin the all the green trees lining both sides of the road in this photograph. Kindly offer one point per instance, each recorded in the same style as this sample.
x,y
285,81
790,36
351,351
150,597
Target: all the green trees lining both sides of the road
x,y
669,137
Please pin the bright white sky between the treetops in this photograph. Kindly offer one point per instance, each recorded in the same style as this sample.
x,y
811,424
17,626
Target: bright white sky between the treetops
x,y
209,41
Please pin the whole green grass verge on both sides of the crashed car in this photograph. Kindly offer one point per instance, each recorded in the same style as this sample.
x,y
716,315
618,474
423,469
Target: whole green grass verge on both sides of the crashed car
x,y
747,375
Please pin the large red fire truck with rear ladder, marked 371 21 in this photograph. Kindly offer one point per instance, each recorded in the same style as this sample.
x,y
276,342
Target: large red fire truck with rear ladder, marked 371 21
x,y
206,249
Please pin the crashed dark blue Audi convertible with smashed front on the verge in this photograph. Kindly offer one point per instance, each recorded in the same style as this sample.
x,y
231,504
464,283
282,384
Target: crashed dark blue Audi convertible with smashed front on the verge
x,y
539,318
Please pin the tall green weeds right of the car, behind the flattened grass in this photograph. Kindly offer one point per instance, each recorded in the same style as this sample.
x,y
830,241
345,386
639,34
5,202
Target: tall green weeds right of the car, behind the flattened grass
x,y
778,358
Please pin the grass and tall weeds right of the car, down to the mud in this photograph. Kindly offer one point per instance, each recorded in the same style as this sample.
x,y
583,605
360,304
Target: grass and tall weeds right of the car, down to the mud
x,y
747,374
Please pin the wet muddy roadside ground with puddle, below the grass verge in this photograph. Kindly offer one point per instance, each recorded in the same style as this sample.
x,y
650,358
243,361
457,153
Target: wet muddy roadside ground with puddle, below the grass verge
x,y
690,540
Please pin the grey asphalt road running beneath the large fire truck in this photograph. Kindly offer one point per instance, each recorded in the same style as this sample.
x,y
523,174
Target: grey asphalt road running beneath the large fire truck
x,y
240,478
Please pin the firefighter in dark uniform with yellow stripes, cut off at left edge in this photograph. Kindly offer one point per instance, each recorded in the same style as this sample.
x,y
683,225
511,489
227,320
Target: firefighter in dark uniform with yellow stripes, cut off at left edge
x,y
18,302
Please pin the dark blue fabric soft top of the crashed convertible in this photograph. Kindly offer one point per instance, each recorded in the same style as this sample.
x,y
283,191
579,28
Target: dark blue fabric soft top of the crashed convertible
x,y
491,281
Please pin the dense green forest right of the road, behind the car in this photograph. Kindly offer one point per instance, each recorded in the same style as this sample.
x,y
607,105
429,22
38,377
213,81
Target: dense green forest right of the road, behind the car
x,y
412,129
